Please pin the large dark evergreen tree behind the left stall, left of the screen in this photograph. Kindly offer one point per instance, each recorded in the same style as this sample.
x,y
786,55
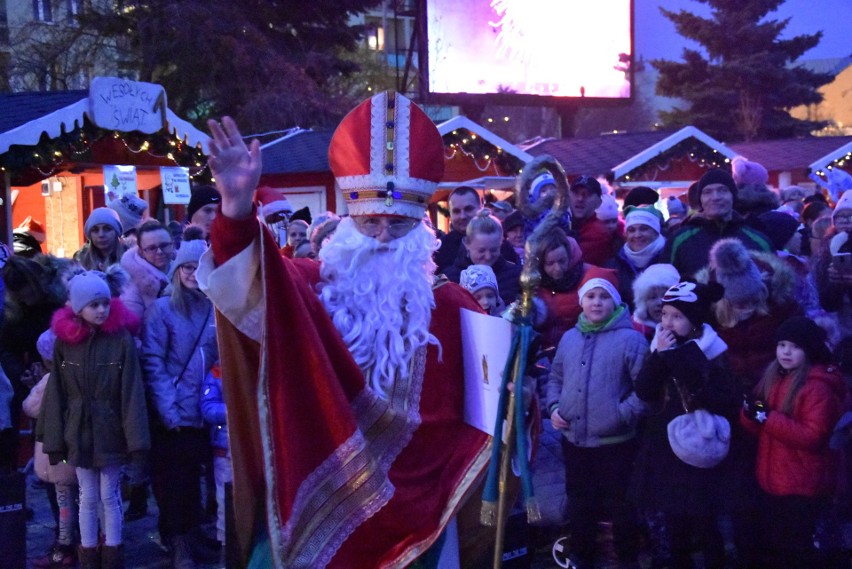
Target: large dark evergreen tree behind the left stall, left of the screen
x,y
268,63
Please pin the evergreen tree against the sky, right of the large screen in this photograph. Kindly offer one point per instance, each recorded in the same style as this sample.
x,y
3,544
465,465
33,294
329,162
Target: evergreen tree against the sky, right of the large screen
x,y
744,81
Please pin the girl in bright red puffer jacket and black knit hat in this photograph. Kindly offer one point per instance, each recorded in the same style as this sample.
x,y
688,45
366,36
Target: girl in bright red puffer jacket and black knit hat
x,y
792,412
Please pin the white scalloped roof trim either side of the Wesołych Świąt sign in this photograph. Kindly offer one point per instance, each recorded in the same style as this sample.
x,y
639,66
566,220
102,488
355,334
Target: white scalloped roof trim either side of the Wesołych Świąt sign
x,y
68,118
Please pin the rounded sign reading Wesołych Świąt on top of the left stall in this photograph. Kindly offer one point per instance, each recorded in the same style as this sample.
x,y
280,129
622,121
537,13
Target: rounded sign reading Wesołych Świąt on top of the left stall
x,y
120,104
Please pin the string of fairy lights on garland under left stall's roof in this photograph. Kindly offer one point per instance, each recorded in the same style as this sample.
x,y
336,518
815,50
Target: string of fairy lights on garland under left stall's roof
x,y
52,155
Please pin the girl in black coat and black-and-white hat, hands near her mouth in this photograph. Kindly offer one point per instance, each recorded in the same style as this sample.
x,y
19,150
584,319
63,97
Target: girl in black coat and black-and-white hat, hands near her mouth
x,y
687,367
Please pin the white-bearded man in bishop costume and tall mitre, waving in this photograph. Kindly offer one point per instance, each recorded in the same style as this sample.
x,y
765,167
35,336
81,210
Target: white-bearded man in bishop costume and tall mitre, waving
x,y
348,441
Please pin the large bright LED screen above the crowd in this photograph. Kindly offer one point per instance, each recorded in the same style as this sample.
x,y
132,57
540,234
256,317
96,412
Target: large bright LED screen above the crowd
x,y
539,48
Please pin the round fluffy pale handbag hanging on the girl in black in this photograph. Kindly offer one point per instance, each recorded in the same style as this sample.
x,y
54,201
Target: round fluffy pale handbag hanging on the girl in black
x,y
699,438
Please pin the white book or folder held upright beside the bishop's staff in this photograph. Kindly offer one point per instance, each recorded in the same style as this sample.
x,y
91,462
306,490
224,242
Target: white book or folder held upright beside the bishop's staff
x,y
486,341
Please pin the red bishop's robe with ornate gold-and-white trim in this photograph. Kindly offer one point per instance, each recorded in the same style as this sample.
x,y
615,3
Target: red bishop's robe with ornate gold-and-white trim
x,y
339,476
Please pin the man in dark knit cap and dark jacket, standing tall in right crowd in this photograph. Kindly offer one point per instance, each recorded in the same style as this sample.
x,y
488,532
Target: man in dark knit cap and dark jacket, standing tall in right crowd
x,y
689,249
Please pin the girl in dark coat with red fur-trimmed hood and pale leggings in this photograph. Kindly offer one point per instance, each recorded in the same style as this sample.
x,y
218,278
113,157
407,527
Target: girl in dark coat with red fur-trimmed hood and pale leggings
x,y
94,413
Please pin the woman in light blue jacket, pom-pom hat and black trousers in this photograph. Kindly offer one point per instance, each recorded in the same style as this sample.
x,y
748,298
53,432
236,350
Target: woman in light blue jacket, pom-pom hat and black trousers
x,y
178,350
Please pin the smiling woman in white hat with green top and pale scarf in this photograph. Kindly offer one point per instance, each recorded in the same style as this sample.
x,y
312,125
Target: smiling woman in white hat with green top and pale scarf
x,y
643,246
